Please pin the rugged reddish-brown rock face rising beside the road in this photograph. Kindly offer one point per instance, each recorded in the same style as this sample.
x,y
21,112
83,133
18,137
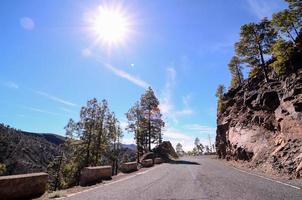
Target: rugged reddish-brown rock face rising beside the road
x,y
262,123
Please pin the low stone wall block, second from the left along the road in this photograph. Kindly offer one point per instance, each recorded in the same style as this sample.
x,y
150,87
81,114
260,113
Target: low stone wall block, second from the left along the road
x,y
92,175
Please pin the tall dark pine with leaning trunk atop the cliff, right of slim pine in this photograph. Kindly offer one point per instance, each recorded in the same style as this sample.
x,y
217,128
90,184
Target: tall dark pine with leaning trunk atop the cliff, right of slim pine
x,y
255,44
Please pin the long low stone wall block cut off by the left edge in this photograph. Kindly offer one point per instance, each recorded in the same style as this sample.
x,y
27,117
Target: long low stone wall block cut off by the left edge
x,y
23,186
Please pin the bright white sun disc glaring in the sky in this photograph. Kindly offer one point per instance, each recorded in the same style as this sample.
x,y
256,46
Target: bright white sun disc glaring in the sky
x,y
111,25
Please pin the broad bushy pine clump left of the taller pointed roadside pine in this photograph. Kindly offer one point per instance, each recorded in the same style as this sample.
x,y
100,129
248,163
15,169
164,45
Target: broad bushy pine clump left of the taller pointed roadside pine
x,y
92,141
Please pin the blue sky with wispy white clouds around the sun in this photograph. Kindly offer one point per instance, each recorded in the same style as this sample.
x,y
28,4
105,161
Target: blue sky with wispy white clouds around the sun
x,y
51,64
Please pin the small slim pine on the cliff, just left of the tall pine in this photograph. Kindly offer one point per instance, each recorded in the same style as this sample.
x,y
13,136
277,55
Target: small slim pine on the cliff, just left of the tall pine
x,y
236,71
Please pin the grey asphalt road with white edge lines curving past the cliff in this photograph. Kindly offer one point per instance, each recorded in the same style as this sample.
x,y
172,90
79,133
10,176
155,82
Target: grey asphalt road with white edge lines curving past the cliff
x,y
192,178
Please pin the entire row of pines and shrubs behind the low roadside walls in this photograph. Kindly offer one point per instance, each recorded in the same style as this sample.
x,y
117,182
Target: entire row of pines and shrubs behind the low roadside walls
x,y
94,140
